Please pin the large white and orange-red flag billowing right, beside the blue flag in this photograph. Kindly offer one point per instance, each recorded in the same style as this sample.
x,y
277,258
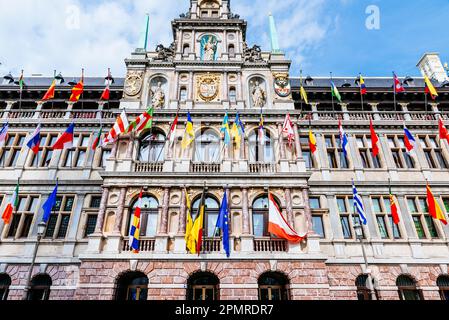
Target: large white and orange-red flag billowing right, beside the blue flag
x,y
277,224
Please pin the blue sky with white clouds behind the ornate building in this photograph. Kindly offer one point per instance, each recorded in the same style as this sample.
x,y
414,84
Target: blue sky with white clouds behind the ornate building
x,y
342,36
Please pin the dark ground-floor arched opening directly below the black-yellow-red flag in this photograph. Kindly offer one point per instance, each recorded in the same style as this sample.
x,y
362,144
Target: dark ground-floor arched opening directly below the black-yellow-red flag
x,y
203,286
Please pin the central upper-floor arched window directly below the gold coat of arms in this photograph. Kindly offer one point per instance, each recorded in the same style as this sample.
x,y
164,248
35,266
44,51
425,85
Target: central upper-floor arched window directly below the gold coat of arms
x,y
207,147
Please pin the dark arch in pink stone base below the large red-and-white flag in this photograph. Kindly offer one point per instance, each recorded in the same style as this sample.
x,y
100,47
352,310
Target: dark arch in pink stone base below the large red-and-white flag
x,y
273,286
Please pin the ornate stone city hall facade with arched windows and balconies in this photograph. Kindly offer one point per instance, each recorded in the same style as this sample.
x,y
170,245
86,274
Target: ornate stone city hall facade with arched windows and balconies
x,y
210,70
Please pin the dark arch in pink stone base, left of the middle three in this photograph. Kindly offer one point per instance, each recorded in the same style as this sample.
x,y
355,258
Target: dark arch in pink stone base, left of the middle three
x,y
132,286
